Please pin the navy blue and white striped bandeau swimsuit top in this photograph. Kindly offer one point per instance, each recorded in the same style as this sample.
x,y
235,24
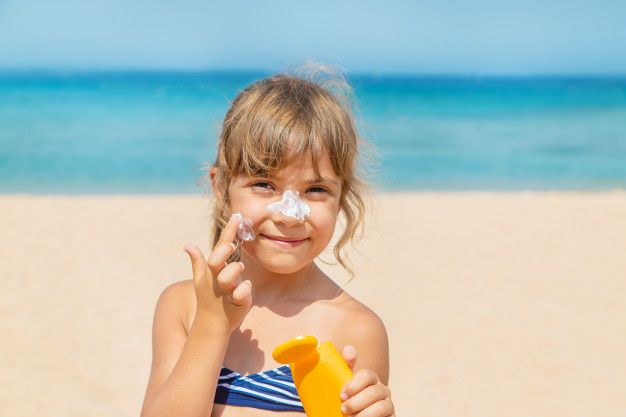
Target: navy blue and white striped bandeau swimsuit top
x,y
270,390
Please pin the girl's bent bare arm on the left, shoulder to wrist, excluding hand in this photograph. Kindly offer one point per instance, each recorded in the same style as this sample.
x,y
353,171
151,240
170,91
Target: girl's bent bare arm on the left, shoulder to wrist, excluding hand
x,y
185,368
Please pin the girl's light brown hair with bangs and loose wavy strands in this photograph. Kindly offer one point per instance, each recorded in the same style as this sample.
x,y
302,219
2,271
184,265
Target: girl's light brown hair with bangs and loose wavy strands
x,y
276,119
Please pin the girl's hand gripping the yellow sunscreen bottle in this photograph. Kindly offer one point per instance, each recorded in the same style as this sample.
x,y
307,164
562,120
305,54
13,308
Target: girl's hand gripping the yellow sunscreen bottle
x,y
364,395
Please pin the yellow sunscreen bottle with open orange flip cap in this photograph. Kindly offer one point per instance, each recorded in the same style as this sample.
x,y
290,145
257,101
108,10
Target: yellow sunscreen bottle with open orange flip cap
x,y
319,373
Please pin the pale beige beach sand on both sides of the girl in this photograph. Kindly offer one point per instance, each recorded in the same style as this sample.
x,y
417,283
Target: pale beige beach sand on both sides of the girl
x,y
496,304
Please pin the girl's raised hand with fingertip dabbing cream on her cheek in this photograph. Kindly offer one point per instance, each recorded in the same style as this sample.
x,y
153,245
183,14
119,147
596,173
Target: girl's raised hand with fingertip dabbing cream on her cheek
x,y
222,299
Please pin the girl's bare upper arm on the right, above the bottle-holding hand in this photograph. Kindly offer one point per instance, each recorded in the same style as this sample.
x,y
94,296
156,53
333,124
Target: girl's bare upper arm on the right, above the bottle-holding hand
x,y
361,327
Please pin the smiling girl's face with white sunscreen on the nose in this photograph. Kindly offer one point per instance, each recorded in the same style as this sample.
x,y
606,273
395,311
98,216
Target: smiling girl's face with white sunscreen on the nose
x,y
285,245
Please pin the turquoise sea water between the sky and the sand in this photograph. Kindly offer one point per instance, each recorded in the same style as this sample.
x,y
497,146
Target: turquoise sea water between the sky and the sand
x,y
139,132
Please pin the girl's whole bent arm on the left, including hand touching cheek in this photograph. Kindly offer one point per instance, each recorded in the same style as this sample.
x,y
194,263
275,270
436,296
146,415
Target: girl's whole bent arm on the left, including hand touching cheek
x,y
185,368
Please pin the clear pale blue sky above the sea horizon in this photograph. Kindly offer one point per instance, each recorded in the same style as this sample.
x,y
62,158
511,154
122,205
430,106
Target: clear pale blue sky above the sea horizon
x,y
470,37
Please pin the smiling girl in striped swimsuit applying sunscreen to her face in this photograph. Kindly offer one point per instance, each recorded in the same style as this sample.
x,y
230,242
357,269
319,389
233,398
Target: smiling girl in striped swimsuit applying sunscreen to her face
x,y
213,335
